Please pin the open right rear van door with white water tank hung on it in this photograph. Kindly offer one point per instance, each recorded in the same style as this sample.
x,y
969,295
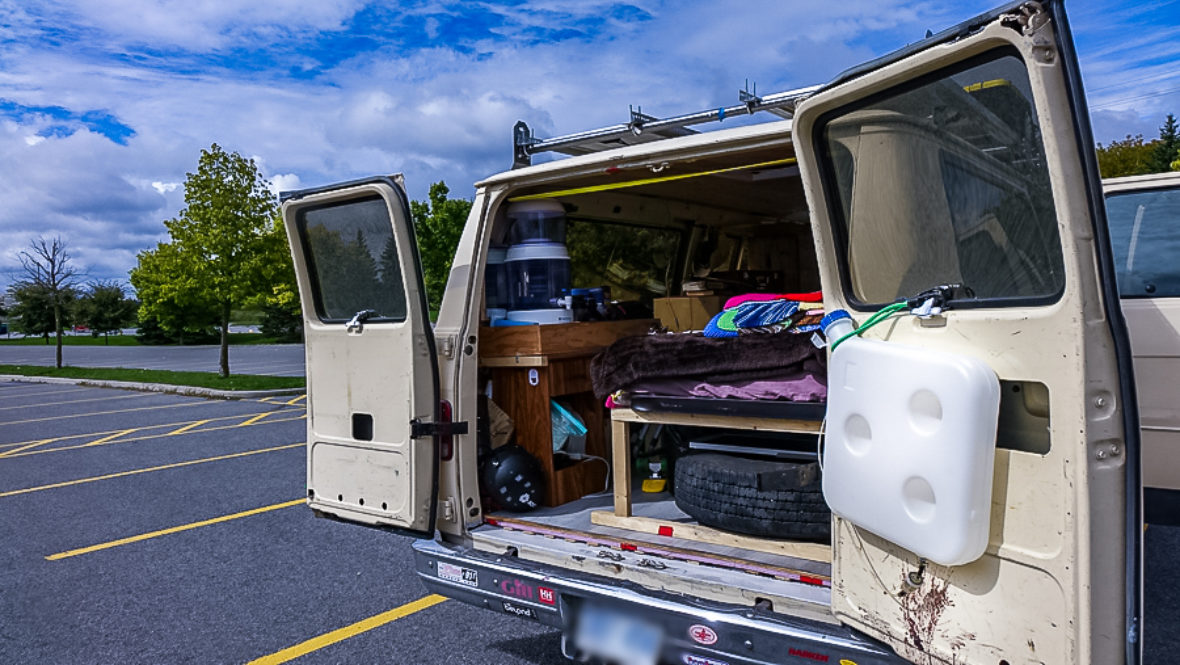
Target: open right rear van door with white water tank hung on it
x,y
967,161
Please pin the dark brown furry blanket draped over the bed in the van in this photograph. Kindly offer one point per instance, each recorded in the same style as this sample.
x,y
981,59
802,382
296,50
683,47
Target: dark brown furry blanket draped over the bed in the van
x,y
713,360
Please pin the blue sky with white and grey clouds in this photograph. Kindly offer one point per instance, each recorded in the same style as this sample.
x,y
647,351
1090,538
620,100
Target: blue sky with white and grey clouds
x,y
106,104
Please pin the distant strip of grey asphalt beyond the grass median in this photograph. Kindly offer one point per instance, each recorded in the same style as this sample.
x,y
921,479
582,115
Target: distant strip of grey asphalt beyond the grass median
x,y
272,360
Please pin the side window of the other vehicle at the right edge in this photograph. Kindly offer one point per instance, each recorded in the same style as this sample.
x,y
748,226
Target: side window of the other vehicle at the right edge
x,y
1145,234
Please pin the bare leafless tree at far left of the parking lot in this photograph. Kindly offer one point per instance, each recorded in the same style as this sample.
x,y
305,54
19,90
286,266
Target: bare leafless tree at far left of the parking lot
x,y
51,281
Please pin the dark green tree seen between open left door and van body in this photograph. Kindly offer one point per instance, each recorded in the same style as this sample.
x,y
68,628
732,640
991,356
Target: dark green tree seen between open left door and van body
x,y
438,226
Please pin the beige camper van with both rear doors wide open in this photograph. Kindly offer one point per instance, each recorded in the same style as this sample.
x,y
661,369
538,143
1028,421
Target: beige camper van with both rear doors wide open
x,y
953,183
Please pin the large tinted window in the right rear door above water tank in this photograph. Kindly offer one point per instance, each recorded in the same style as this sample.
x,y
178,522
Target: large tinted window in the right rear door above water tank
x,y
943,181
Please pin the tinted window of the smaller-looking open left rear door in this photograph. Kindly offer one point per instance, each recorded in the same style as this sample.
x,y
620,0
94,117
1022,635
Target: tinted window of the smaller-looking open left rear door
x,y
352,260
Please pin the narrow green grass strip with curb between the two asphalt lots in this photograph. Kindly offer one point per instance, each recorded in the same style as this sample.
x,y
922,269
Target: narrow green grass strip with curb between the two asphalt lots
x,y
198,379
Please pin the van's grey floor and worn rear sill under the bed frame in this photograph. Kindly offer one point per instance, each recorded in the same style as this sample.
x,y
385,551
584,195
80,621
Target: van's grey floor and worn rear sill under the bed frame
x,y
730,572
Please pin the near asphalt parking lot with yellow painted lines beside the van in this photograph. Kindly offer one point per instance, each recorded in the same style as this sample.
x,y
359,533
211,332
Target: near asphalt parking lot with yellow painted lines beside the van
x,y
159,529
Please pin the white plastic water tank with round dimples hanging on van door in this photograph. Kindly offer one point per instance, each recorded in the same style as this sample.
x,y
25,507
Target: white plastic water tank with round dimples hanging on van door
x,y
910,444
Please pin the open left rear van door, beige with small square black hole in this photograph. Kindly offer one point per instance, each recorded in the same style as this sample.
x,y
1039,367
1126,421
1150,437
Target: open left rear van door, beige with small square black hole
x,y
372,374
